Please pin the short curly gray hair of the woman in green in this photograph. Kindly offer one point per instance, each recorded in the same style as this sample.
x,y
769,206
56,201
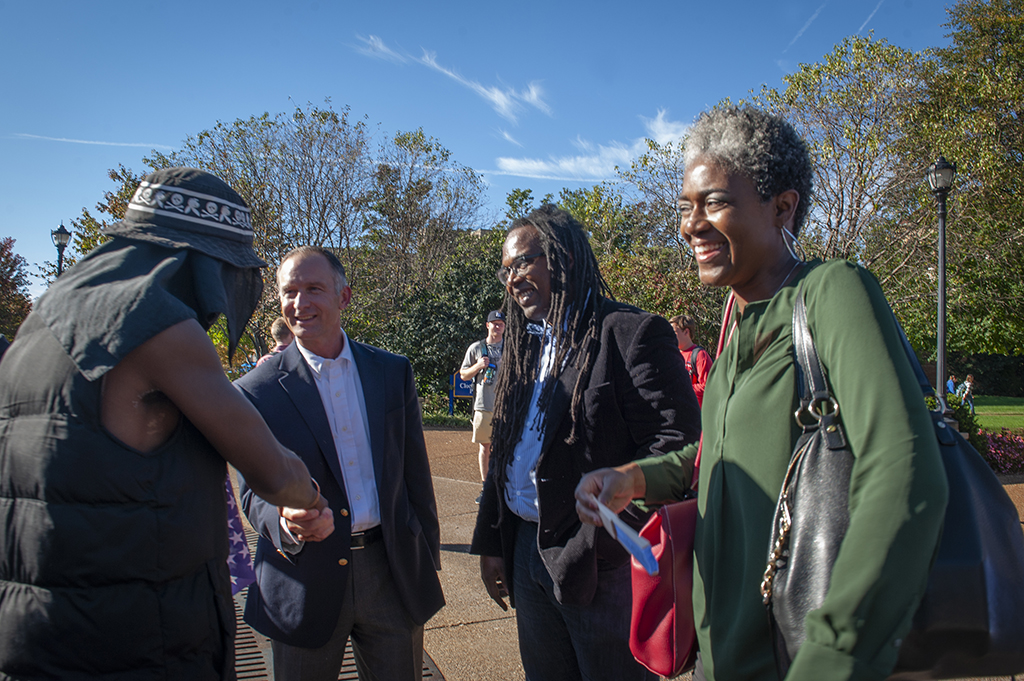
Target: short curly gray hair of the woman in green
x,y
760,146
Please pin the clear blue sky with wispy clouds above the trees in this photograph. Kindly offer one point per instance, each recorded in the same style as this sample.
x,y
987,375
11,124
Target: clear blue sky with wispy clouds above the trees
x,y
532,95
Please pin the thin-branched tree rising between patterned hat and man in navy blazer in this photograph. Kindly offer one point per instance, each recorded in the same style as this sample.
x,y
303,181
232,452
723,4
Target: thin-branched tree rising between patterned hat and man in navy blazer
x,y
304,176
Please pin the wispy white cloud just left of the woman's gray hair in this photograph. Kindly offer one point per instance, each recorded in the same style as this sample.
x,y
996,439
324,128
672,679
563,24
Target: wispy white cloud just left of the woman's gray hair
x,y
596,162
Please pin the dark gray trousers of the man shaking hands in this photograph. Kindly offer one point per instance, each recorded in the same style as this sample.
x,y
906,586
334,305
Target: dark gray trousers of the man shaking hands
x,y
388,645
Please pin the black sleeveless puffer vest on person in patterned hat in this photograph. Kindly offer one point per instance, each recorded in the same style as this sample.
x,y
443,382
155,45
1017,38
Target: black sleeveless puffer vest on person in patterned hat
x,y
112,562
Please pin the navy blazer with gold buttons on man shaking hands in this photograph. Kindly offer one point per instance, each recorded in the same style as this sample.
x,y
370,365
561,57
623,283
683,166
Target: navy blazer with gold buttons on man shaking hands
x,y
298,600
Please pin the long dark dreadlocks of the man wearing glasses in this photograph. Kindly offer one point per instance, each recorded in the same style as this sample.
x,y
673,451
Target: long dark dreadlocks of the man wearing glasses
x,y
577,293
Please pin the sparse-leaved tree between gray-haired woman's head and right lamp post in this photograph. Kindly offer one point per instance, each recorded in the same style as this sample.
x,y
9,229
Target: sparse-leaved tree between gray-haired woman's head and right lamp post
x,y
850,109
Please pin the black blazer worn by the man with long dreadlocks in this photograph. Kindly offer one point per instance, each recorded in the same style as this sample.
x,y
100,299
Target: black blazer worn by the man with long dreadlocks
x,y
638,403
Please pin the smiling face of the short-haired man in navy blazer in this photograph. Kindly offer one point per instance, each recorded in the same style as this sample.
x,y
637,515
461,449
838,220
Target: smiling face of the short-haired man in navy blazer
x,y
312,304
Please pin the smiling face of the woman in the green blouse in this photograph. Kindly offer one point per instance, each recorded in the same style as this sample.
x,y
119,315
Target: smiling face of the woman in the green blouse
x,y
734,234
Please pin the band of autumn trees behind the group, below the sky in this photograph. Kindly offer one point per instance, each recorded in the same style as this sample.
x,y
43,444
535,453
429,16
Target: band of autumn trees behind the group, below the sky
x,y
408,220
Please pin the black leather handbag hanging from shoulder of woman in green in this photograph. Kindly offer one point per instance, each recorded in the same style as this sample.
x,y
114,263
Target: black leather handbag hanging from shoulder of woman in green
x,y
971,620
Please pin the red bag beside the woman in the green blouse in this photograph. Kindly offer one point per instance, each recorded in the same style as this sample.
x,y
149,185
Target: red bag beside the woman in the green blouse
x,y
663,637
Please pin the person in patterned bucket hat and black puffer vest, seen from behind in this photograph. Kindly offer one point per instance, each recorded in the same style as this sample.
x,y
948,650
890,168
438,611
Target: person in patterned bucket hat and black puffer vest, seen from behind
x,y
116,419
